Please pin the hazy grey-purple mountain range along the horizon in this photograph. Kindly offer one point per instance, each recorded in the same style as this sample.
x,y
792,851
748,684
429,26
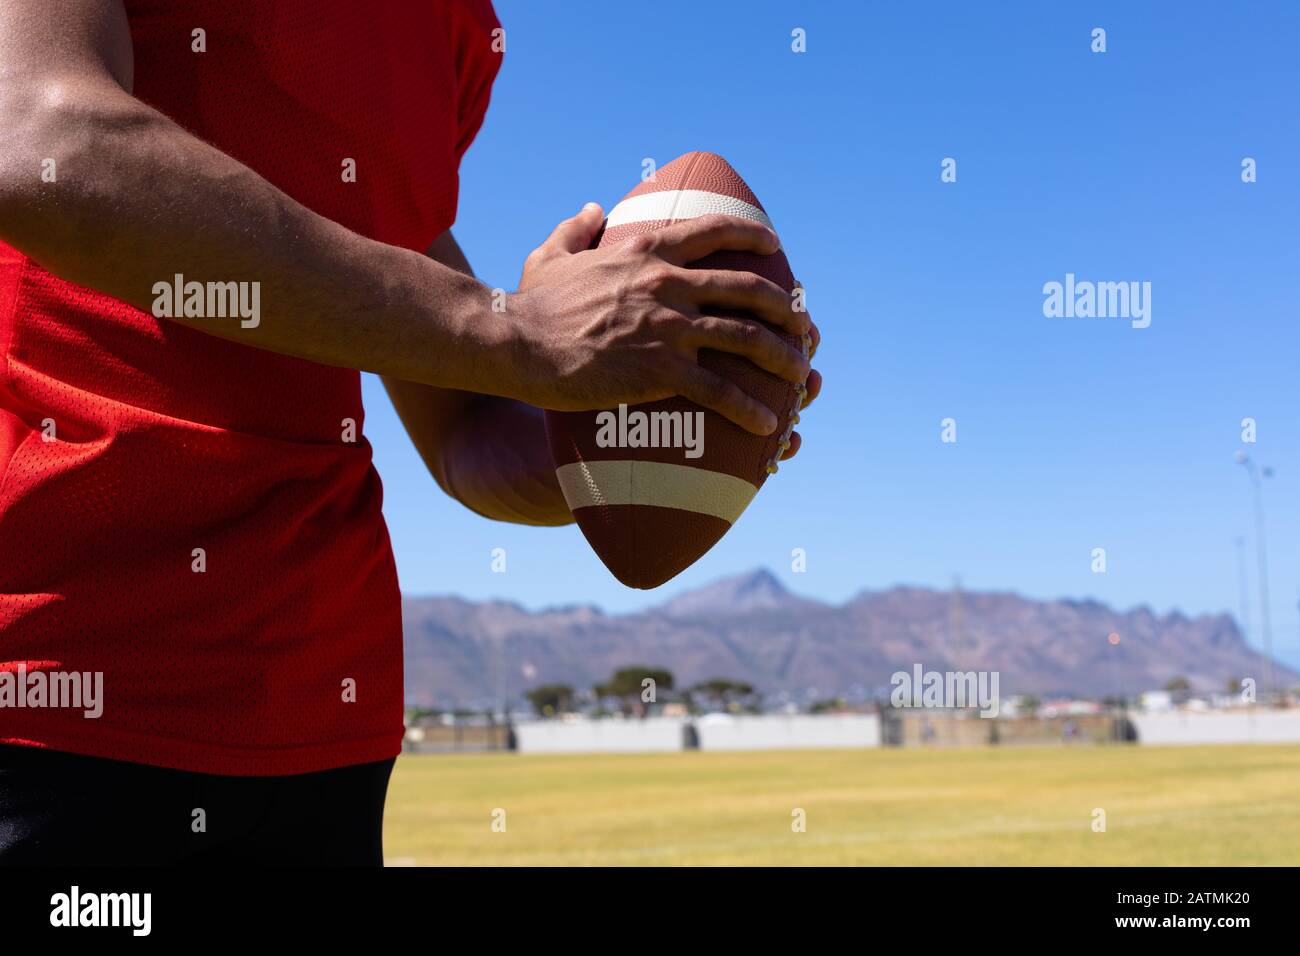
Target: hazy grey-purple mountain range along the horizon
x,y
753,629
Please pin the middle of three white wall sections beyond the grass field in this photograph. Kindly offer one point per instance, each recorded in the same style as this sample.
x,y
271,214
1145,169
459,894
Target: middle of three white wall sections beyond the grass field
x,y
786,733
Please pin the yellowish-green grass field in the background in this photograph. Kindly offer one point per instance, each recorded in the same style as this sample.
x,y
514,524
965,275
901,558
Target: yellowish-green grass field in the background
x,y
1188,806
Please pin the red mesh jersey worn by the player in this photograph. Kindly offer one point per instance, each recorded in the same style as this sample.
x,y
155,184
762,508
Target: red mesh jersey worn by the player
x,y
168,440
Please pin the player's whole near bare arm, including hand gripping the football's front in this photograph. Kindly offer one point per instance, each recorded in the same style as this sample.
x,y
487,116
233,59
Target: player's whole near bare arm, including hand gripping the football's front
x,y
138,201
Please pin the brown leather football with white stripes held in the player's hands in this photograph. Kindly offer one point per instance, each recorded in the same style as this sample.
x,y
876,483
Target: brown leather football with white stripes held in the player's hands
x,y
656,486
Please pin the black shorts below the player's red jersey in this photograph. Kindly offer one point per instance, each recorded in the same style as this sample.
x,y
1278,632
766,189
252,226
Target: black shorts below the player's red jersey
x,y
63,810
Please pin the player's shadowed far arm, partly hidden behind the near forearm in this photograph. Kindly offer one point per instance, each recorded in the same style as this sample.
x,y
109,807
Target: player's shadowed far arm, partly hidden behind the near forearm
x,y
488,453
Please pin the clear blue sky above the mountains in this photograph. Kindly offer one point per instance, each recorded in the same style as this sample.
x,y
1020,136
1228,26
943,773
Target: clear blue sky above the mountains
x,y
1072,434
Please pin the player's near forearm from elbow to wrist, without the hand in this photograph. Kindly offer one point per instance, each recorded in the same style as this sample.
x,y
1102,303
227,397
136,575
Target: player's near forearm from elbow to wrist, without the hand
x,y
138,200
